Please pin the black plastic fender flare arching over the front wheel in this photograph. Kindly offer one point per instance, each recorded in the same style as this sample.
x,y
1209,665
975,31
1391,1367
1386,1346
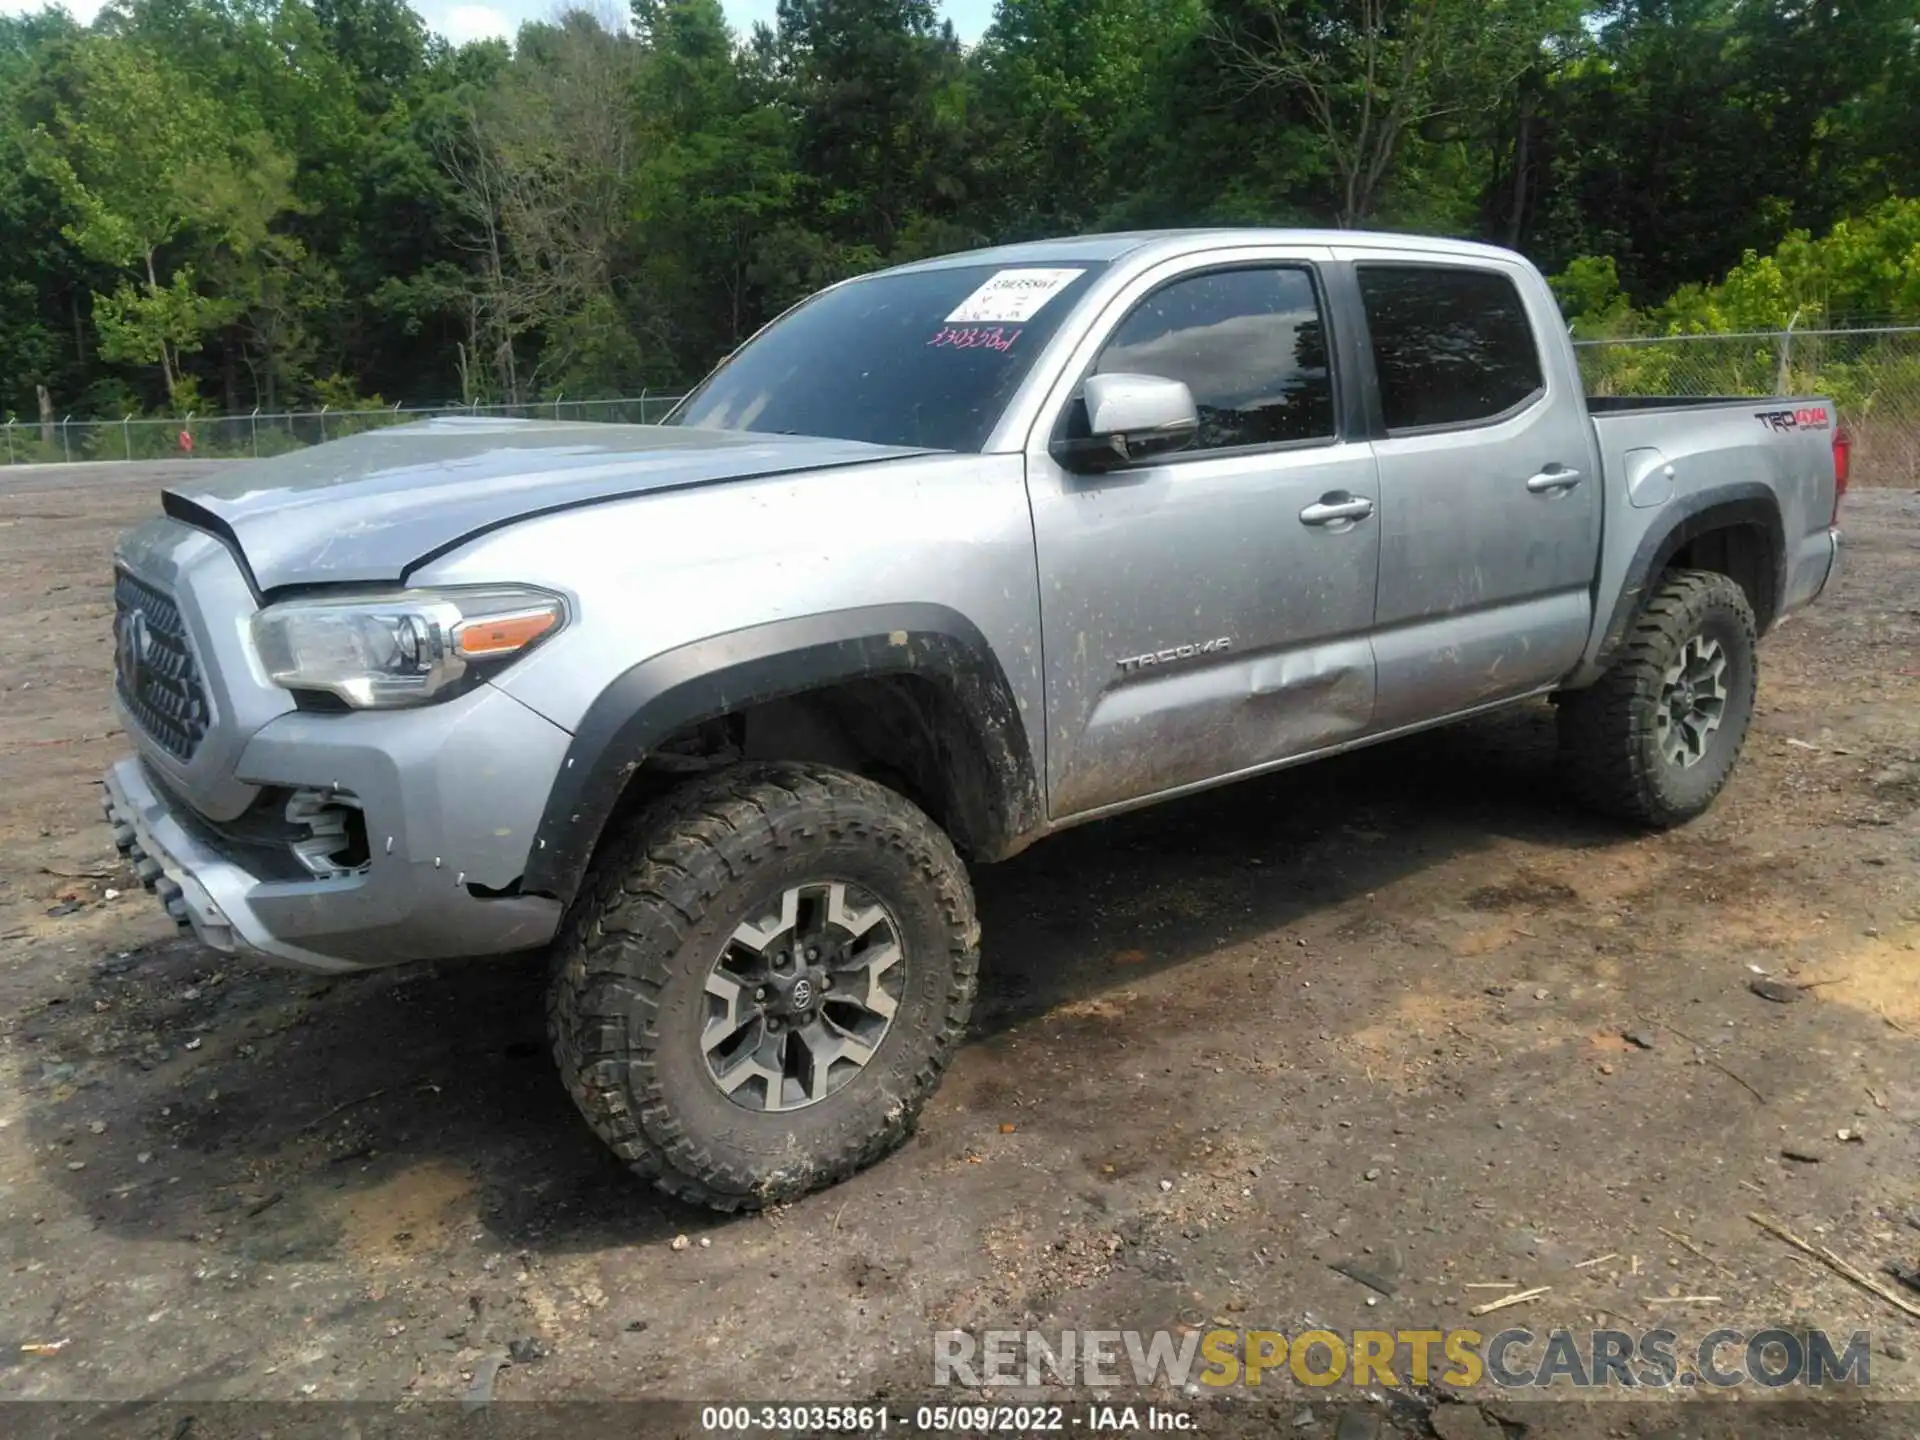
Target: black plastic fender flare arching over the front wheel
x,y
715,677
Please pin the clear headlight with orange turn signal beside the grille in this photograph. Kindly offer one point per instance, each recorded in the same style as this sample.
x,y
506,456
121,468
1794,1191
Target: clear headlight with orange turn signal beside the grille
x,y
414,646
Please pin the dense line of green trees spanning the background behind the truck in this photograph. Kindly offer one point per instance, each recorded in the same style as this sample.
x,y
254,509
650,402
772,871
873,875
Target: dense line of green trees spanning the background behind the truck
x,y
252,201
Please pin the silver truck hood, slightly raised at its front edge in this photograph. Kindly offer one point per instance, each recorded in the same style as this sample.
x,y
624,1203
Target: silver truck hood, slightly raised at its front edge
x,y
375,506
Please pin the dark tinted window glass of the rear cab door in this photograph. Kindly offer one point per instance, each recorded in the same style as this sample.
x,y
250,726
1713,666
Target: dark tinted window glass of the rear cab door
x,y
1451,347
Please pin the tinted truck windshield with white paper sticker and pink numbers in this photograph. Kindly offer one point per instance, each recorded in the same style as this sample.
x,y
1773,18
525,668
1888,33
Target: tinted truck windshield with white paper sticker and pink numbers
x,y
924,360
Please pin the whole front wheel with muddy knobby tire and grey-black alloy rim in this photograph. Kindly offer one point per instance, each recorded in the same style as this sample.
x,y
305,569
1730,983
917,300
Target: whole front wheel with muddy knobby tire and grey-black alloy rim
x,y
763,982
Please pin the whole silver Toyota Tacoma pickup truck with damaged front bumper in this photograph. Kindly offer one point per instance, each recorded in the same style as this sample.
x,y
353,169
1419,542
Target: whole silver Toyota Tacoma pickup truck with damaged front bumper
x,y
942,562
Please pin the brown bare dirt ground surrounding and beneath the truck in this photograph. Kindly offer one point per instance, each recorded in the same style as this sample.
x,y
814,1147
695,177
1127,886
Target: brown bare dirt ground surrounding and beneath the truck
x,y
1368,1011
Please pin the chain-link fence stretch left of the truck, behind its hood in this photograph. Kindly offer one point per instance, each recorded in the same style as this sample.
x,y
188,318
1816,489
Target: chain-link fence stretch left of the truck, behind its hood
x,y
241,437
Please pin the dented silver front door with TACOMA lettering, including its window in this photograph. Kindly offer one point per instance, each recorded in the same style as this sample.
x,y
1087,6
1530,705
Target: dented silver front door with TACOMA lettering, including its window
x,y
1209,613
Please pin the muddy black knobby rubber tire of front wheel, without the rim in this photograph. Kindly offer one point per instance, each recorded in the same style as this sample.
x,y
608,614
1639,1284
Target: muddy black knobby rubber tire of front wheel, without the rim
x,y
636,949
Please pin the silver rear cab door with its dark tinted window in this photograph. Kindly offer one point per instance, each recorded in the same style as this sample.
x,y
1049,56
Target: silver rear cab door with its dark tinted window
x,y
1489,500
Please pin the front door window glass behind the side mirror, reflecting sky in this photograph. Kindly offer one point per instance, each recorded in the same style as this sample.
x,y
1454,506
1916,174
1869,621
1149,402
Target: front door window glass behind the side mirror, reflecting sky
x,y
1251,345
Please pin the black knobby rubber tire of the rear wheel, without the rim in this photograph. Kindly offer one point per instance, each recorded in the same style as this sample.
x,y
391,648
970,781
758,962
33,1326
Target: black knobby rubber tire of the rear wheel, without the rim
x,y
1608,734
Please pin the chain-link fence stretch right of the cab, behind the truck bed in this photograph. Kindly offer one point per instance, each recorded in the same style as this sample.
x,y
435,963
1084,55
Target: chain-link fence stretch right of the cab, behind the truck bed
x,y
1871,375
